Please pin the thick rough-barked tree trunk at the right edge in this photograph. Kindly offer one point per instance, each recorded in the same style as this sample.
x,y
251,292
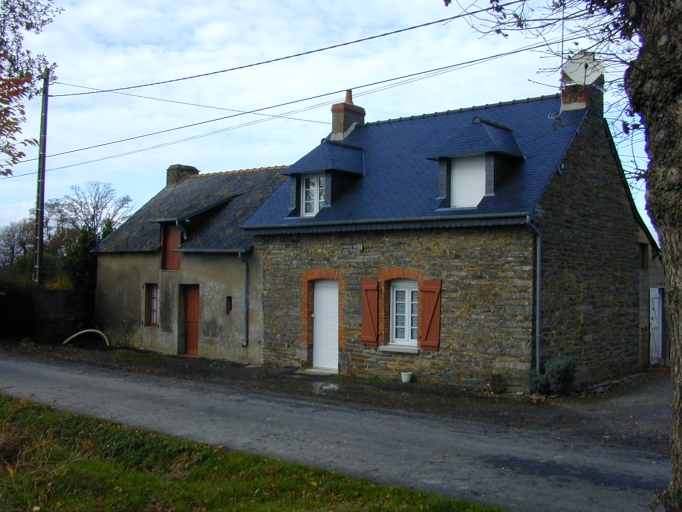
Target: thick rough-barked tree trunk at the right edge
x,y
654,83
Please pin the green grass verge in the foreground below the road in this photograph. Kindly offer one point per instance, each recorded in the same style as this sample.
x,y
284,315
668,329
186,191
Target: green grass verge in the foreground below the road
x,y
53,461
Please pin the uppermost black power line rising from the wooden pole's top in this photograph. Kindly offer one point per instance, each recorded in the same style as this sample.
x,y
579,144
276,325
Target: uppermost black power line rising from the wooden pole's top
x,y
461,15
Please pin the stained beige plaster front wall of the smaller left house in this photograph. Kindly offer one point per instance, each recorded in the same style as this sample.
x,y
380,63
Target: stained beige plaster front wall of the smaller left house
x,y
121,280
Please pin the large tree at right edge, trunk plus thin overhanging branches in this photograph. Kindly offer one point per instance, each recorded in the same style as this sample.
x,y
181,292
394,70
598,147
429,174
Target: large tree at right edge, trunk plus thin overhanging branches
x,y
644,39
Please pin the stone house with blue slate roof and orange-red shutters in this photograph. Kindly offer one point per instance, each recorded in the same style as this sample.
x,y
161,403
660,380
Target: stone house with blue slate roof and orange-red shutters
x,y
455,245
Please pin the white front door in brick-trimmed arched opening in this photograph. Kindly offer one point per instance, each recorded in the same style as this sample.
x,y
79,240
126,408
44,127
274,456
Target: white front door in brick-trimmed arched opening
x,y
326,325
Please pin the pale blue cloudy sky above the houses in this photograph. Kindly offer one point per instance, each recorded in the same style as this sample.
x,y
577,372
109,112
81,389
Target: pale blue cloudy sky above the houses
x,y
110,44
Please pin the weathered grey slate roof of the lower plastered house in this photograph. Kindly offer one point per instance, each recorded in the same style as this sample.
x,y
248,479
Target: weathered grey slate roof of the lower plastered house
x,y
213,204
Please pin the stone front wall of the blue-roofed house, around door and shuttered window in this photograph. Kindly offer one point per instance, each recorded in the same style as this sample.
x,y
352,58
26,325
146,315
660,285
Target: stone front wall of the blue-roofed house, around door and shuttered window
x,y
487,301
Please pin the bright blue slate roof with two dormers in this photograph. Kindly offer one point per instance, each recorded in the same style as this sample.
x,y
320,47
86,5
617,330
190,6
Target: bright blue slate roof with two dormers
x,y
400,180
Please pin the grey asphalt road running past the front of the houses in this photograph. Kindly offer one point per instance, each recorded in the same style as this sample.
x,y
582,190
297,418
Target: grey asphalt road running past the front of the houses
x,y
515,469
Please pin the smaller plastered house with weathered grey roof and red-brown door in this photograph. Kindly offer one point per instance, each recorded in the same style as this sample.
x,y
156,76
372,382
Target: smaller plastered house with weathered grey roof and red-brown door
x,y
180,276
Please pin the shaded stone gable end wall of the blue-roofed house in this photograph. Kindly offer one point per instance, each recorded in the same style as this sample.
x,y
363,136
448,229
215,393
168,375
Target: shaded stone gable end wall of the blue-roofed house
x,y
590,259
